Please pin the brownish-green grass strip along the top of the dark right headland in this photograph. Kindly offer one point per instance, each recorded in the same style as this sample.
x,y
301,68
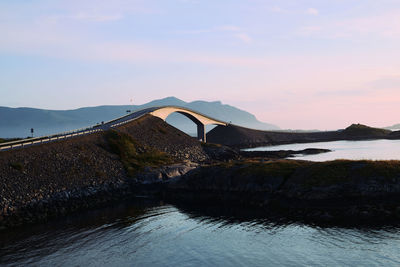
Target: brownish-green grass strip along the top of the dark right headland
x,y
310,174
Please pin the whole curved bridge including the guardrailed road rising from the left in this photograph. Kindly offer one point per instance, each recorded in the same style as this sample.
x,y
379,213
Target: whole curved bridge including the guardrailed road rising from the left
x,y
162,112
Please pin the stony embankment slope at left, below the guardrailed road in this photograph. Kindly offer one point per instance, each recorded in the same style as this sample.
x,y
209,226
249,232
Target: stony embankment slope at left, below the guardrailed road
x,y
49,180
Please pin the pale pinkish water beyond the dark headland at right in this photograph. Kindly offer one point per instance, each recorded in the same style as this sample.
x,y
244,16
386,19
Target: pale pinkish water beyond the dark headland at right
x,y
374,150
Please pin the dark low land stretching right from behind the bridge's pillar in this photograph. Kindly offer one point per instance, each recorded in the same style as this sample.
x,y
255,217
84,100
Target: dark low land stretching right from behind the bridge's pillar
x,y
240,137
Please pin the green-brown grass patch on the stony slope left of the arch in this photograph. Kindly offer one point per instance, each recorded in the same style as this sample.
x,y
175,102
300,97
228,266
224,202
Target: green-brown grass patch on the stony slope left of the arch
x,y
133,156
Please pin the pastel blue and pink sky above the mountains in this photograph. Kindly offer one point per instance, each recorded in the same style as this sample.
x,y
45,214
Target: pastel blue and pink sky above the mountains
x,y
300,64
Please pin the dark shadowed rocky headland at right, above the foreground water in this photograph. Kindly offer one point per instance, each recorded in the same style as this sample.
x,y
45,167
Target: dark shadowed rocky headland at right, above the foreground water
x,y
348,192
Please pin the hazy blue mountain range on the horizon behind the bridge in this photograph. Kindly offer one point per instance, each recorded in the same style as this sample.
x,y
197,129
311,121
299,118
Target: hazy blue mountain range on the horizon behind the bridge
x,y
17,122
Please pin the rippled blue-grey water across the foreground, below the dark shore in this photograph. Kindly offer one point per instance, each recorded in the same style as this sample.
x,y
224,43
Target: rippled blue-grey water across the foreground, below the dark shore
x,y
149,233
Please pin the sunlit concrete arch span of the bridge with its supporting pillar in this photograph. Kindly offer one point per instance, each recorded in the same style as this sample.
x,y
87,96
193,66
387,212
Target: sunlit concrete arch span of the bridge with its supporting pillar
x,y
199,119
